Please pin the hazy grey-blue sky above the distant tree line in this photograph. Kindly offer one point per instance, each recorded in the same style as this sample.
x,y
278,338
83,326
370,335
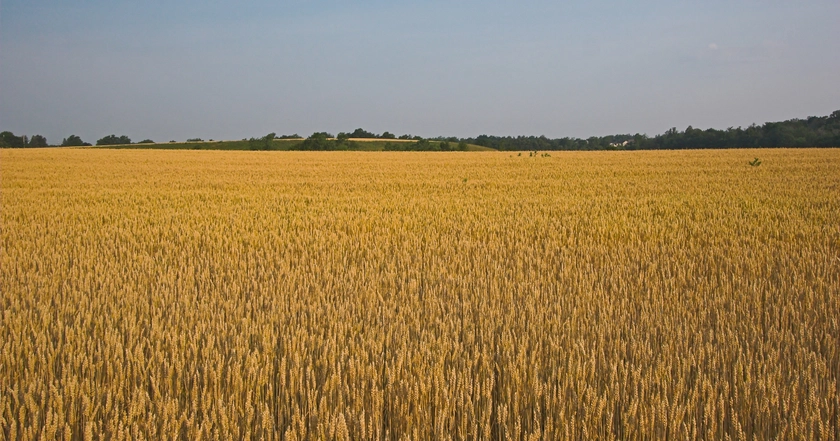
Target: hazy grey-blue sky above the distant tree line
x,y
228,70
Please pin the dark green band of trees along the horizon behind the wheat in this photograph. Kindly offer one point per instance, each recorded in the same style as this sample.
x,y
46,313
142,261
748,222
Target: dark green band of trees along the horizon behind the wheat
x,y
814,131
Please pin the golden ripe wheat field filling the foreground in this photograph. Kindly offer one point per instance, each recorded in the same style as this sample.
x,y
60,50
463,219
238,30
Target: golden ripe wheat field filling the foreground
x,y
425,296
